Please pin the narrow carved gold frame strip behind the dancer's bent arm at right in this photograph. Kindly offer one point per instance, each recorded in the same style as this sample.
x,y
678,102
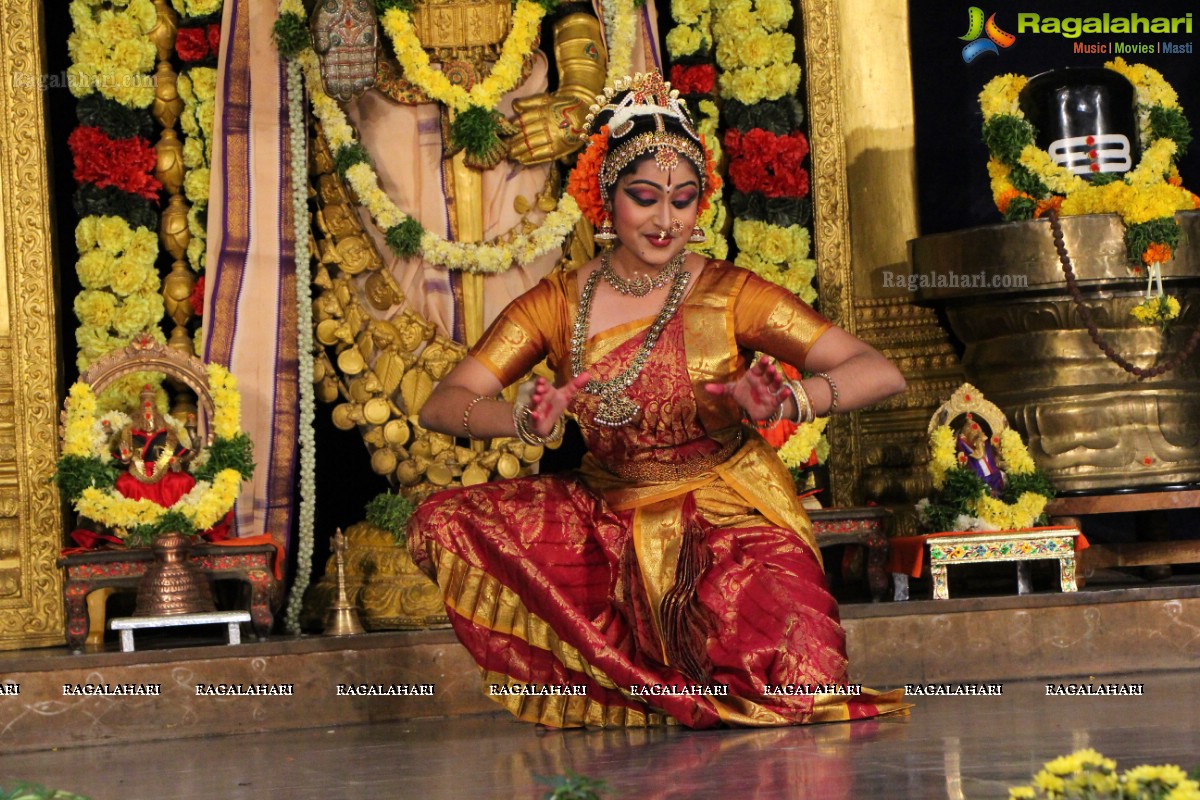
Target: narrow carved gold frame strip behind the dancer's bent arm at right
x,y
831,214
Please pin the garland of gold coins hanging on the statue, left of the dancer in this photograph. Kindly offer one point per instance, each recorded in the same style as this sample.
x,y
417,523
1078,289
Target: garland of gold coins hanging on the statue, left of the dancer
x,y
382,360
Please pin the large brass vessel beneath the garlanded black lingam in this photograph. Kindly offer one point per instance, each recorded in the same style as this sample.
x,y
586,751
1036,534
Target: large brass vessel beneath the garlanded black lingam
x,y
1089,425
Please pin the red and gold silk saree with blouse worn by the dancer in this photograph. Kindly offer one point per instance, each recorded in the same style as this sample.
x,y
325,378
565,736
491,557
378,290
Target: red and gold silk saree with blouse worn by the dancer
x,y
675,576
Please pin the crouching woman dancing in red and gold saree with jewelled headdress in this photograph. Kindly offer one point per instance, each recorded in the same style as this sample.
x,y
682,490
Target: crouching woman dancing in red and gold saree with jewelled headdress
x,y
675,575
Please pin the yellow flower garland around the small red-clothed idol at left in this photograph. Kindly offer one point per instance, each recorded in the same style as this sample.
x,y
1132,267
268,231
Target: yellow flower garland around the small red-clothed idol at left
x,y
205,506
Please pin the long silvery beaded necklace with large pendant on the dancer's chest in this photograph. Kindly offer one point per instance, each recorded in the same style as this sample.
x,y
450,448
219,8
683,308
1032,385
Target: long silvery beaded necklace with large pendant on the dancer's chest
x,y
616,410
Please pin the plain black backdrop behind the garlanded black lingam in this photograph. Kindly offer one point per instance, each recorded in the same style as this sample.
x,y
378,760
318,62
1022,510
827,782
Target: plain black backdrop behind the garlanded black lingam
x,y
953,190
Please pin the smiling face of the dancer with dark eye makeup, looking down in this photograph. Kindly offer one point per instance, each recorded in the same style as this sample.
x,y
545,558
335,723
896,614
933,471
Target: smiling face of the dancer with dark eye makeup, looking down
x,y
655,212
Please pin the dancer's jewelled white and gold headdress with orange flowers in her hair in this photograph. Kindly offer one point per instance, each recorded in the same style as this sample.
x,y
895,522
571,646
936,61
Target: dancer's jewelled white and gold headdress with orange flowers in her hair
x,y
637,116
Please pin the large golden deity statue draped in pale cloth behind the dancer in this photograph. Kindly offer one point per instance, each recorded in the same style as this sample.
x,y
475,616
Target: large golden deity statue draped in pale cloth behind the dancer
x,y
457,195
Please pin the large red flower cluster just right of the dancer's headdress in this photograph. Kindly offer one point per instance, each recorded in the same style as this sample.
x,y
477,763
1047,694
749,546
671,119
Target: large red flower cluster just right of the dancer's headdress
x,y
764,163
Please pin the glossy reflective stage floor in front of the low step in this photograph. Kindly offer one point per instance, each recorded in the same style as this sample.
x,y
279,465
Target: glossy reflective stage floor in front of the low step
x,y
956,747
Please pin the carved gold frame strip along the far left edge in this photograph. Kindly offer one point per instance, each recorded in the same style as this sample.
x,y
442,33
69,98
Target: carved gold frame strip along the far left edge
x,y
32,616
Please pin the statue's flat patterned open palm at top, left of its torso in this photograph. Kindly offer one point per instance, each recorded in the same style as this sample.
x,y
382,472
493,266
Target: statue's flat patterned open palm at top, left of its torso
x,y
345,34
